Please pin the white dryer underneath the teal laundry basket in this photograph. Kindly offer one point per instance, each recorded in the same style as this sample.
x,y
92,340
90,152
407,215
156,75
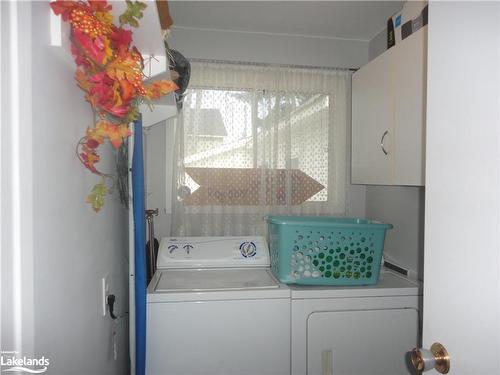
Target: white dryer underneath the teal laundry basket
x,y
355,330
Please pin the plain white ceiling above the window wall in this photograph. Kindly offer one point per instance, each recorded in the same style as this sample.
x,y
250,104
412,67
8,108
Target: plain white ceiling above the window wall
x,y
357,20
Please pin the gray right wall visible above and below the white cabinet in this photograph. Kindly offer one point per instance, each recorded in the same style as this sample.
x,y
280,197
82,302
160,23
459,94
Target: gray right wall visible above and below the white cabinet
x,y
402,206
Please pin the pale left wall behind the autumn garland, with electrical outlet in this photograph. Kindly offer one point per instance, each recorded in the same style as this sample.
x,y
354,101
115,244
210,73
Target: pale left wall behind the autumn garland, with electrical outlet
x,y
73,247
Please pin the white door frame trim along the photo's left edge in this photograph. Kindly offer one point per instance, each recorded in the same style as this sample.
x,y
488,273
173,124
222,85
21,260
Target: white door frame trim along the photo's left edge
x,y
17,178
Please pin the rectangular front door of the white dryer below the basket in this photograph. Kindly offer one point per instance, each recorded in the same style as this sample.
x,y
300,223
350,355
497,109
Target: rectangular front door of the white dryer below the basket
x,y
361,342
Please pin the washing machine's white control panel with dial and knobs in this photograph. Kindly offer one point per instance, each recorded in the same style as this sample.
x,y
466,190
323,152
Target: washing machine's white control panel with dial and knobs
x,y
212,252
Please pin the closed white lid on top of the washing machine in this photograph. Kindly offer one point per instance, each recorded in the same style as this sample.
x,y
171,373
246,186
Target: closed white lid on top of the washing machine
x,y
204,280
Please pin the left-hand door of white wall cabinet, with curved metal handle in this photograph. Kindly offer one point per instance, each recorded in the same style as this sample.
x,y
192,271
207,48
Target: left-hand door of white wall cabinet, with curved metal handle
x,y
372,117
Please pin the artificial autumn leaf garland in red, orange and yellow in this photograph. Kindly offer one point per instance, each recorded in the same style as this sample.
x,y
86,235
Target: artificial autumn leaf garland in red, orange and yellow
x,y
110,72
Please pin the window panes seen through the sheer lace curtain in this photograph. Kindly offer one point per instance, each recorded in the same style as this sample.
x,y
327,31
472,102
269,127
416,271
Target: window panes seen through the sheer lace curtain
x,y
227,130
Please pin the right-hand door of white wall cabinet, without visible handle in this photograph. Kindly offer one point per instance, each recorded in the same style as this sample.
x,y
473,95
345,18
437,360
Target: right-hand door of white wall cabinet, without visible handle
x,y
410,75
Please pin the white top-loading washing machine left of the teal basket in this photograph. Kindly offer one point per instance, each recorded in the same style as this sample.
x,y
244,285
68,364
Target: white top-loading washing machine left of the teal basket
x,y
213,307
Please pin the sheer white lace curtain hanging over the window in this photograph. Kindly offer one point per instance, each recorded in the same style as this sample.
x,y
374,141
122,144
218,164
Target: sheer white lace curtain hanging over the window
x,y
254,140
